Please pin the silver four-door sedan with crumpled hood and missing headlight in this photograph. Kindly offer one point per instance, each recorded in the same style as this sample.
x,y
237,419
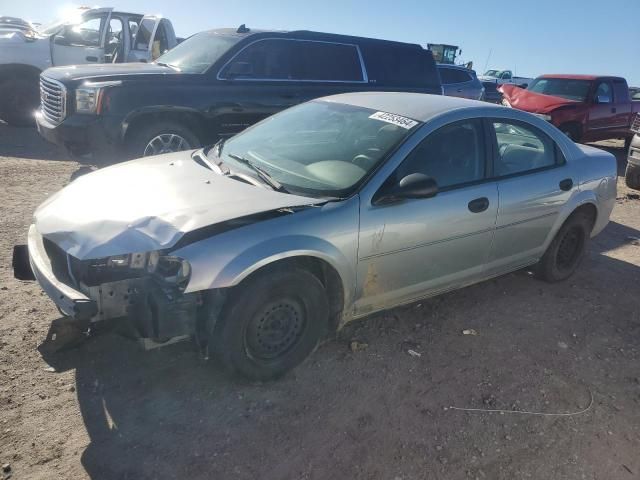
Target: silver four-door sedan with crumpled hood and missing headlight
x,y
261,246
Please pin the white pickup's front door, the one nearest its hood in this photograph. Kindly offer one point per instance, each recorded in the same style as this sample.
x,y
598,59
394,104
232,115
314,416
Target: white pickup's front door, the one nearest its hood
x,y
81,43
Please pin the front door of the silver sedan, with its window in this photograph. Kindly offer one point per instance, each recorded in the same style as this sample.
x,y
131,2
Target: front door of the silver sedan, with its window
x,y
416,247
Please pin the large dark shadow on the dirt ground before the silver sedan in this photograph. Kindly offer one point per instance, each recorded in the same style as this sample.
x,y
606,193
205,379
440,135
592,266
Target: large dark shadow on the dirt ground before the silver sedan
x,y
381,413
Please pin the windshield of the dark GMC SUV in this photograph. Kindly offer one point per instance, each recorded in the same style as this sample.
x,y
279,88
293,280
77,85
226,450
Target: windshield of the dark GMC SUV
x,y
196,54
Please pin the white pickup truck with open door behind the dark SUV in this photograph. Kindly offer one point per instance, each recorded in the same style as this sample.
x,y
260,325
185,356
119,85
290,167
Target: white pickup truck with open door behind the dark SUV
x,y
88,35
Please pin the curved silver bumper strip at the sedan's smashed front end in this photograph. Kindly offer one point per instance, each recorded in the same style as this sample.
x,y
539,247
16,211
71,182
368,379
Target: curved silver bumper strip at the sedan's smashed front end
x,y
70,301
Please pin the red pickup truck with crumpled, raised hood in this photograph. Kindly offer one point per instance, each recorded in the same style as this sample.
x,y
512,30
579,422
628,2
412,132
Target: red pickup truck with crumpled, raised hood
x,y
587,108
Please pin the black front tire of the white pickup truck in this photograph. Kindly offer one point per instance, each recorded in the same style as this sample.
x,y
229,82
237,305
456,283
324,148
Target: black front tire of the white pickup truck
x,y
20,99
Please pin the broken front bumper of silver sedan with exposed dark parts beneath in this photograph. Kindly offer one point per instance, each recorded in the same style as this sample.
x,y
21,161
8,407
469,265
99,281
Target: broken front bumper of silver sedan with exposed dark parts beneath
x,y
156,311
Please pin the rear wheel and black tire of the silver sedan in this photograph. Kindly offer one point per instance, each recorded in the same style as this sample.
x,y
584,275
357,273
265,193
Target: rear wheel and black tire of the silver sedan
x,y
566,250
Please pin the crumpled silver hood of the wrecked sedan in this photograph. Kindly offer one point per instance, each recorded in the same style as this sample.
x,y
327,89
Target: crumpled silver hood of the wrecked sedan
x,y
148,204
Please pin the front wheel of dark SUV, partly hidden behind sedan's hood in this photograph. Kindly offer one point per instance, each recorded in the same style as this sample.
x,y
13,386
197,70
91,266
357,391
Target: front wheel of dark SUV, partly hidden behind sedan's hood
x,y
161,137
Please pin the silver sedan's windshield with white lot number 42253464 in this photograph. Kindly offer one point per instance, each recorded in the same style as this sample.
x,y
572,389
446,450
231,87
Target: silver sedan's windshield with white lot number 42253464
x,y
318,149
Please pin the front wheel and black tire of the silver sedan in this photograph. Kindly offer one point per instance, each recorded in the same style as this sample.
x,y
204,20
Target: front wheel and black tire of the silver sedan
x,y
290,305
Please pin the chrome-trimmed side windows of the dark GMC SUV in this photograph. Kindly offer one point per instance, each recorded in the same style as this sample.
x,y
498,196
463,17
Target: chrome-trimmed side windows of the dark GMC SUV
x,y
288,59
